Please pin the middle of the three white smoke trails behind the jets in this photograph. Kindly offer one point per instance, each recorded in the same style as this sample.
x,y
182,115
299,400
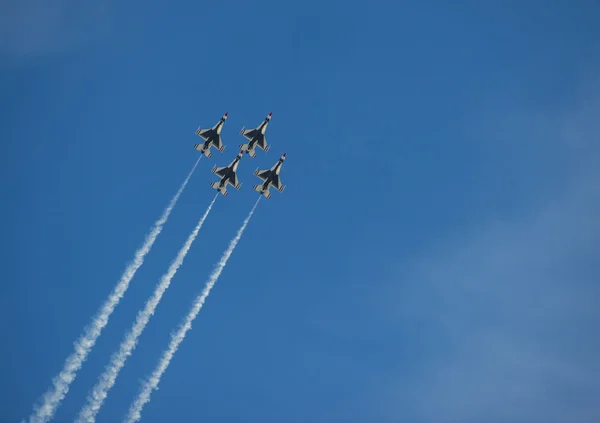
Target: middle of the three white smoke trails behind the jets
x,y
118,359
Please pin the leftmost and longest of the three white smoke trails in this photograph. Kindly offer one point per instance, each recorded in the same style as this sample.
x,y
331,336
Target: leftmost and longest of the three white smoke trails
x,y
60,384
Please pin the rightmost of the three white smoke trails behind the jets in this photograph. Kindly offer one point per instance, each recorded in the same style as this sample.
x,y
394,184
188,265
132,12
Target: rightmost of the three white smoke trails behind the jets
x,y
135,411
